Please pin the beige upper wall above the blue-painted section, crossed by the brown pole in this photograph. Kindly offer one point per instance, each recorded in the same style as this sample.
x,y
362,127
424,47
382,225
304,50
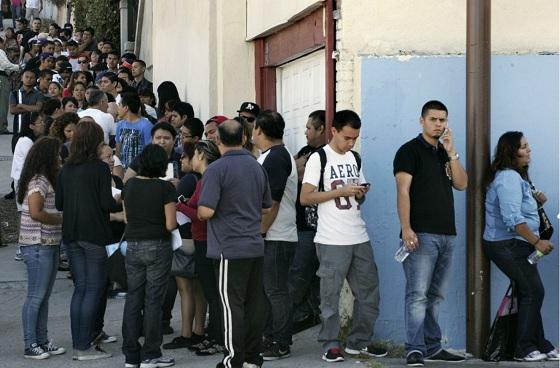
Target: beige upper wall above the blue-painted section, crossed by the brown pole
x,y
433,27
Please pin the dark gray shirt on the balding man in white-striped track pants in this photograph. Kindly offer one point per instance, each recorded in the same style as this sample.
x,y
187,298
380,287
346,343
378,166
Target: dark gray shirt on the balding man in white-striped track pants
x,y
236,188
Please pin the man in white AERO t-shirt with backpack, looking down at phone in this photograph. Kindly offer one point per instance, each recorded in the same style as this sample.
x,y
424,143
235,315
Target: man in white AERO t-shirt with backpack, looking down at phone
x,y
342,242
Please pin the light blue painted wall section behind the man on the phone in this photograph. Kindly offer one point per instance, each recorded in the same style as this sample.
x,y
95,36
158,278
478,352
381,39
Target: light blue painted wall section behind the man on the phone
x,y
524,97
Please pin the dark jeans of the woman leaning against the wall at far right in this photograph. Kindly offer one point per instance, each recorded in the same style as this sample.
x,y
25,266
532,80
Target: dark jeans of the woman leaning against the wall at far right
x,y
511,258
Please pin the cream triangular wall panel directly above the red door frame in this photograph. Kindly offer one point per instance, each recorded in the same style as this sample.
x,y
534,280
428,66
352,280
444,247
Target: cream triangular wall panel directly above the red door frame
x,y
266,15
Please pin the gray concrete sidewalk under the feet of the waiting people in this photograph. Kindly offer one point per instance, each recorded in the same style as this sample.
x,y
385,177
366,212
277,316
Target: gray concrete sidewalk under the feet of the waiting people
x,y
306,352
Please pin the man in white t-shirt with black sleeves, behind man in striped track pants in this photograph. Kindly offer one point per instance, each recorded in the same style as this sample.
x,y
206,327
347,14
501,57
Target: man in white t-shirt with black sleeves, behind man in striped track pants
x,y
279,230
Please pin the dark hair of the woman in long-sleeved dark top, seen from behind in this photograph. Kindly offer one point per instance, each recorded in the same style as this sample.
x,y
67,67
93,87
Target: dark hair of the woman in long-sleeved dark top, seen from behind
x,y
85,142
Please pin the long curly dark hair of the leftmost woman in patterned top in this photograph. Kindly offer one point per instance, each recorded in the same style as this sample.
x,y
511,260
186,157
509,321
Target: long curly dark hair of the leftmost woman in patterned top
x,y
42,159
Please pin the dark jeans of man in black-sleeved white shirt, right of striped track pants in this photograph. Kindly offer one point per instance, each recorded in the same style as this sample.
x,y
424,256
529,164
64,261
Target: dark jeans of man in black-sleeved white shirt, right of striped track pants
x,y
278,256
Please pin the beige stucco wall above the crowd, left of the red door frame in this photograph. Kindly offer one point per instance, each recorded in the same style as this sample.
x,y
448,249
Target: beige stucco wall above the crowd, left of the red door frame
x,y
201,47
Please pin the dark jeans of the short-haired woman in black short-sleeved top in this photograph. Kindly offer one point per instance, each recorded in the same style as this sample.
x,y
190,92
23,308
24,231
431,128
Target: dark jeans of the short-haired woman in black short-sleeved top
x,y
148,266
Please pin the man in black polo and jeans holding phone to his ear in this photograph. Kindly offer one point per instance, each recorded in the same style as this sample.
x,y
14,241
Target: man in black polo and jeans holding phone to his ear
x,y
426,170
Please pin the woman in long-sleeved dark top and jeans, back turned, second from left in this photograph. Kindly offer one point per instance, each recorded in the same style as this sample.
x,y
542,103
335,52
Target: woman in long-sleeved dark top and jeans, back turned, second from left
x,y
83,193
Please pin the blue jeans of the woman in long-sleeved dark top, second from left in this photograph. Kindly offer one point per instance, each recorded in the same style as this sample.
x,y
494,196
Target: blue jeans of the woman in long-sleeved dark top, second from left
x,y
88,263
